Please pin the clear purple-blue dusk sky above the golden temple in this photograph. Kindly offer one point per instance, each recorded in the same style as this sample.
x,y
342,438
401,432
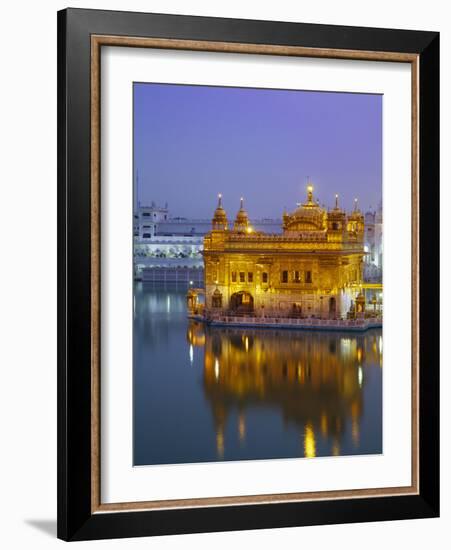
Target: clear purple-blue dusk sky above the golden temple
x,y
193,142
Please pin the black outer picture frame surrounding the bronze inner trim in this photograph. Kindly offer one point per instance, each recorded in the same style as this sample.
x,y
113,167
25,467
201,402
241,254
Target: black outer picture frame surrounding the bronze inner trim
x,y
76,521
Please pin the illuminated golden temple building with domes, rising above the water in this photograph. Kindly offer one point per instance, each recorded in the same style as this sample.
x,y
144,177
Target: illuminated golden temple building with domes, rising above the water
x,y
313,268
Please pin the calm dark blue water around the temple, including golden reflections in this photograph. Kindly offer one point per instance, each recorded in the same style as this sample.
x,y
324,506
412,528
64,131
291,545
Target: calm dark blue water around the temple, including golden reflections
x,y
208,394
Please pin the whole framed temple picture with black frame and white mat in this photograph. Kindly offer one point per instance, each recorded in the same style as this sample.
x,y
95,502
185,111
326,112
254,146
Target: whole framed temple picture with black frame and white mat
x,y
248,274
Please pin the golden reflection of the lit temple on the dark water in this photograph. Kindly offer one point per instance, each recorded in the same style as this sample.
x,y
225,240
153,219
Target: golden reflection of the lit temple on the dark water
x,y
315,380
